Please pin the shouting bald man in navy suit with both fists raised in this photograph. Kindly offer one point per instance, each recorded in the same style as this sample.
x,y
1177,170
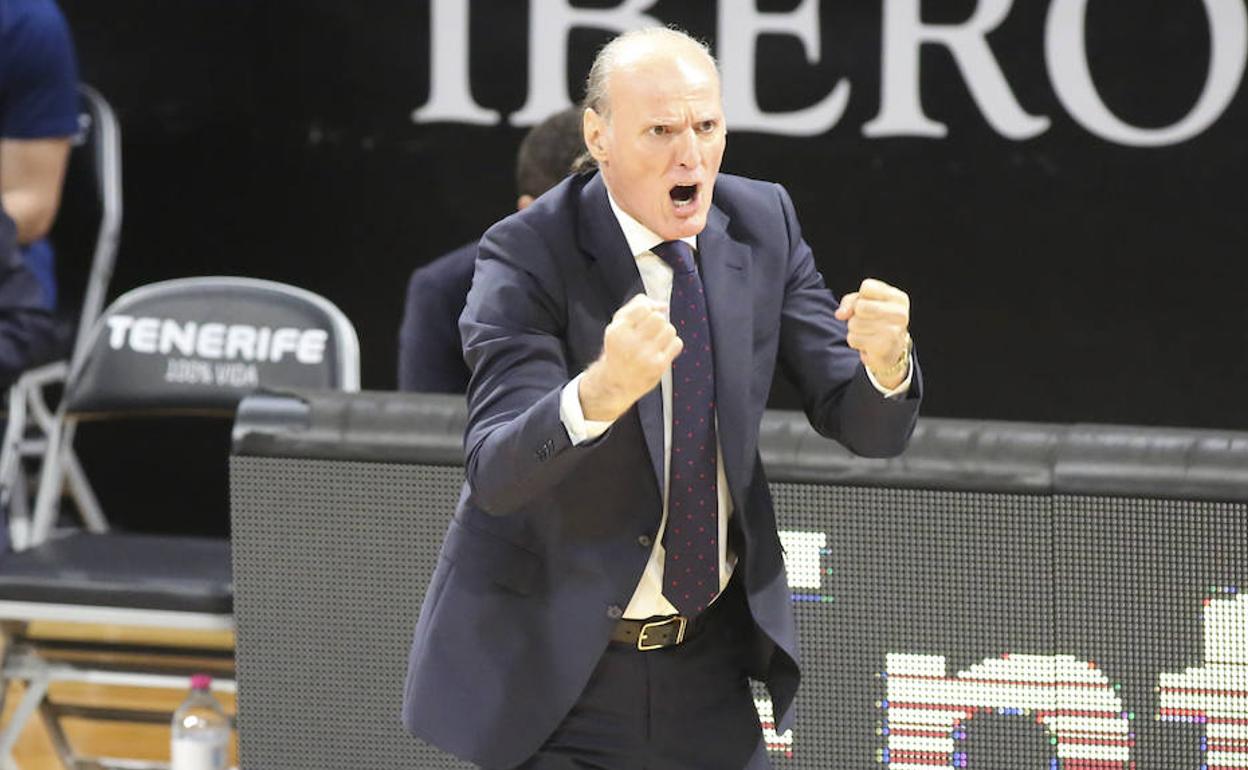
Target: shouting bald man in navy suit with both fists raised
x,y
613,576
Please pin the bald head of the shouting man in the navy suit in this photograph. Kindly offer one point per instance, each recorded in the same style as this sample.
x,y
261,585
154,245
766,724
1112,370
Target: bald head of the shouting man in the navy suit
x,y
655,124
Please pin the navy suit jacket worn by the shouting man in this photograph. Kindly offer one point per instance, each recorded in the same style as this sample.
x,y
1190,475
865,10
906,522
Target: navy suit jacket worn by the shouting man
x,y
550,540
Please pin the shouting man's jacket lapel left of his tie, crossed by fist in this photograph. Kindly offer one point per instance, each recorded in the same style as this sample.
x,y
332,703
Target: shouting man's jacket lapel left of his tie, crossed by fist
x,y
603,240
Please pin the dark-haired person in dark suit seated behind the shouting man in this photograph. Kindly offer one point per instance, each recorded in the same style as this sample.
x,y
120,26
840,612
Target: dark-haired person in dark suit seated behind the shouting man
x,y
430,354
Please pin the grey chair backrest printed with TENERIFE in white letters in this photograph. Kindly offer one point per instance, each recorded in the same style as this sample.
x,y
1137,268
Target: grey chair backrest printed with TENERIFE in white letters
x,y
200,345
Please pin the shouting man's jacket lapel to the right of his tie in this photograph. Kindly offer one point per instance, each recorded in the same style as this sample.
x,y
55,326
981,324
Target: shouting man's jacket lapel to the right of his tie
x,y
726,271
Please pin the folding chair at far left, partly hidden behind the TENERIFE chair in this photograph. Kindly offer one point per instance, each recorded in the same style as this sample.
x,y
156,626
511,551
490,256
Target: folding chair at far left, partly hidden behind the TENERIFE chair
x,y
94,179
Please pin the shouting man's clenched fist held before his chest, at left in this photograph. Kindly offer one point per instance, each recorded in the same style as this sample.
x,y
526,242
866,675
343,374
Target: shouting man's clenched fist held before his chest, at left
x,y
638,348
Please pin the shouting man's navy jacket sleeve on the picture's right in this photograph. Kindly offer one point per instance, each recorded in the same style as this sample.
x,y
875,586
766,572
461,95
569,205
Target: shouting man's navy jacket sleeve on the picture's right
x,y
838,397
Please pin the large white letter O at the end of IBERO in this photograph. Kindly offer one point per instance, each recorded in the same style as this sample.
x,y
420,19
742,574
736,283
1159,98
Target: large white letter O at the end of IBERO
x,y
1068,58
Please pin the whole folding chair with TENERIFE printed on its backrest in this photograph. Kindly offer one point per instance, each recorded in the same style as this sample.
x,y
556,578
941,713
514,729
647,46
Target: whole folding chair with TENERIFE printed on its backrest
x,y
192,346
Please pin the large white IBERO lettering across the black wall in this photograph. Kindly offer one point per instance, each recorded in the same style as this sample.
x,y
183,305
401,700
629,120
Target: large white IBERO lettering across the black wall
x,y
739,26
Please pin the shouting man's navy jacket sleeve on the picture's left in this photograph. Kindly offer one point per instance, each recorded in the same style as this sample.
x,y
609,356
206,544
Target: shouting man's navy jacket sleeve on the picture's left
x,y
514,330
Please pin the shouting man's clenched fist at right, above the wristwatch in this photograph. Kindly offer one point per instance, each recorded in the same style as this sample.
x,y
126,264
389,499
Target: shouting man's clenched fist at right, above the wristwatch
x,y
878,316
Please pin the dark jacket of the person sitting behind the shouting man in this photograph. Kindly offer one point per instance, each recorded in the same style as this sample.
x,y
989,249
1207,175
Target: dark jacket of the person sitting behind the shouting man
x,y
430,354
